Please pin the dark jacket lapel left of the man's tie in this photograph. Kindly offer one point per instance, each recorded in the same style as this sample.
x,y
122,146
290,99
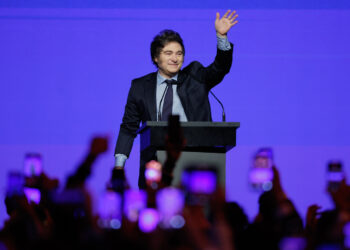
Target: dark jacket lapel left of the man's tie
x,y
150,92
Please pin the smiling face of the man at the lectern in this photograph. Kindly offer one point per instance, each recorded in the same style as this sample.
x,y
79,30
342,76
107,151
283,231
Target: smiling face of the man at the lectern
x,y
170,59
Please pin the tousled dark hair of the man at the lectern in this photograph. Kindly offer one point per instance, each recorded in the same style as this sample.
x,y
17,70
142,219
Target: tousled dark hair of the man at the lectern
x,y
163,38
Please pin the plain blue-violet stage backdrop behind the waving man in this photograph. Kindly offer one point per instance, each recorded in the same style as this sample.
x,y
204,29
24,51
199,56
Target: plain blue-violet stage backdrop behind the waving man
x,y
65,72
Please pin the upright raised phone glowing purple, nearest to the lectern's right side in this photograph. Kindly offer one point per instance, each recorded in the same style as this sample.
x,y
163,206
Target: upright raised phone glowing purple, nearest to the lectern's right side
x,y
261,173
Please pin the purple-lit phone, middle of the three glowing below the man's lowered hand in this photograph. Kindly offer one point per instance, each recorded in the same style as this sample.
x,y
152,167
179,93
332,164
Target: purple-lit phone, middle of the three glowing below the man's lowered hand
x,y
134,202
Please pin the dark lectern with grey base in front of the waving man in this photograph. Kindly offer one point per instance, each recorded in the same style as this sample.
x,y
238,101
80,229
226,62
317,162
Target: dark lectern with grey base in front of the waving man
x,y
206,144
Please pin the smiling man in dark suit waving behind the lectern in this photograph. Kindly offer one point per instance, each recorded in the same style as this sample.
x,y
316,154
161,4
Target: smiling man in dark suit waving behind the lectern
x,y
171,90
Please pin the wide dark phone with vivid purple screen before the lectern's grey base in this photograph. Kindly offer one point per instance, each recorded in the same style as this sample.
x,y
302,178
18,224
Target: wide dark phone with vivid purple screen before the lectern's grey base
x,y
199,182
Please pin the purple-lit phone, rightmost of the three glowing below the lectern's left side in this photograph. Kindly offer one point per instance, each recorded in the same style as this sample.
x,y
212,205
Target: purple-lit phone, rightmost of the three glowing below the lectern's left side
x,y
170,204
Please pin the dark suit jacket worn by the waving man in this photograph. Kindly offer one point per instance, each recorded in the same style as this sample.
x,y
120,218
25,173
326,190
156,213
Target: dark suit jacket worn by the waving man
x,y
194,83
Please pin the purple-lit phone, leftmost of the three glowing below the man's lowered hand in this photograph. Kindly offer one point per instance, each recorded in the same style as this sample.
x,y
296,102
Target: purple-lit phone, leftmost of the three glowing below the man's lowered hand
x,y
110,212
